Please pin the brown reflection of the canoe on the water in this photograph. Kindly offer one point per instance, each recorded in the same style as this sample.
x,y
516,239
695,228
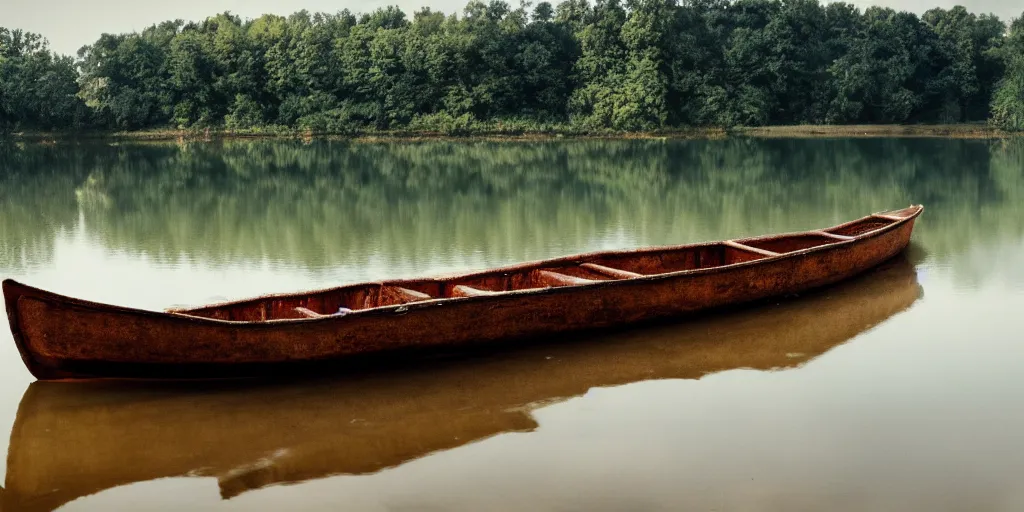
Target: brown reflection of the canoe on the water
x,y
74,441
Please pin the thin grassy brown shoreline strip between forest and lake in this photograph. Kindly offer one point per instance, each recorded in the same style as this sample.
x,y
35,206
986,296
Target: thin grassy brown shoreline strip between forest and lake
x,y
953,132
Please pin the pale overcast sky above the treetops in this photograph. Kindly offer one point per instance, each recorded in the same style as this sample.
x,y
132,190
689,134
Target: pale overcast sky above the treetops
x,y
72,24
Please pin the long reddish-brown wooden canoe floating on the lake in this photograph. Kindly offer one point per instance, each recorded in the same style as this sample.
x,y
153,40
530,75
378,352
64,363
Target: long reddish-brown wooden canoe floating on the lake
x,y
66,338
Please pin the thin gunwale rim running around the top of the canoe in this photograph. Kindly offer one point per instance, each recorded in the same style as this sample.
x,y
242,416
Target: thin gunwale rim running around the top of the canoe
x,y
180,314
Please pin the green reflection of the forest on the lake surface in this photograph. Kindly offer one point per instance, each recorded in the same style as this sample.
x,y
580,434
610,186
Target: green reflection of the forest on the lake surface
x,y
331,203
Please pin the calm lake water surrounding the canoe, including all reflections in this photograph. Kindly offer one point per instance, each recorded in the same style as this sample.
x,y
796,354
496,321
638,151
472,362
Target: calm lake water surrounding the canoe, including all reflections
x,y
899,391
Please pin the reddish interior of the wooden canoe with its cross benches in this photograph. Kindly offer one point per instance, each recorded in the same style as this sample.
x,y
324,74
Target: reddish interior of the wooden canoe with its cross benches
x,y
551,274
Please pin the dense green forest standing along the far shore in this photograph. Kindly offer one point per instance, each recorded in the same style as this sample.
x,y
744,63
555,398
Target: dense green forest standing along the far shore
x,y
643,65
